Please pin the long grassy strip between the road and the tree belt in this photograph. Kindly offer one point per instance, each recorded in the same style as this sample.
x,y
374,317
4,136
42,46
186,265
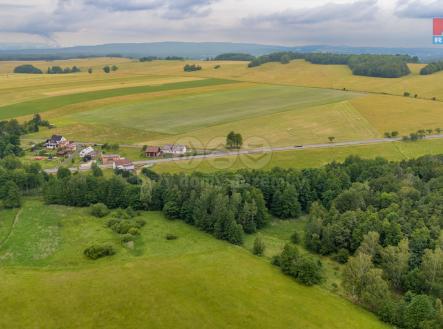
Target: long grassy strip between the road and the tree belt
x,y
310,158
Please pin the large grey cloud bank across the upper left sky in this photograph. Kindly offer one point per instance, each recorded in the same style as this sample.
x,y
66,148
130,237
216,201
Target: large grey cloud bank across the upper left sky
x,y
73,15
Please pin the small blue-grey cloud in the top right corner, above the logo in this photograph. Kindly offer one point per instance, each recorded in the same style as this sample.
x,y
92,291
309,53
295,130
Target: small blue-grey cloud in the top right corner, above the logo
x,y
419,9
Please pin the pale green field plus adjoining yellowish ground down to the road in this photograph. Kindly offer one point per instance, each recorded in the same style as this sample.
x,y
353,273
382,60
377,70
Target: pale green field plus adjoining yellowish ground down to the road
x,y
282,114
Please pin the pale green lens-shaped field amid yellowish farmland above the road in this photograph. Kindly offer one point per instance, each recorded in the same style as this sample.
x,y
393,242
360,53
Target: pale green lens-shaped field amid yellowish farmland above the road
x,y
176,115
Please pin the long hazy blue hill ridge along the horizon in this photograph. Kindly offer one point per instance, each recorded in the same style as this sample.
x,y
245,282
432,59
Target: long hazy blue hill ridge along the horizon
x,y
202,50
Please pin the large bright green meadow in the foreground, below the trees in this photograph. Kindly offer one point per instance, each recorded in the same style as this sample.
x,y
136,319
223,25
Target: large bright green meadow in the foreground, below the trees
x,y
194,281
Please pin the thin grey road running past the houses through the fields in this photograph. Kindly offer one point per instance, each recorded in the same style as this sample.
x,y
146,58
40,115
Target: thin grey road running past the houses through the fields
x,y
262,150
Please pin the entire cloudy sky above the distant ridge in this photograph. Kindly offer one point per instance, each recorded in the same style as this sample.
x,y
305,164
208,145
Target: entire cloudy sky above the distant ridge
x,y
390,23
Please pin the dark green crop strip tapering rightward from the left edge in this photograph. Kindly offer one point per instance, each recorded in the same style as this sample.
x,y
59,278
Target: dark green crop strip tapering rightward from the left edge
x,y
51,103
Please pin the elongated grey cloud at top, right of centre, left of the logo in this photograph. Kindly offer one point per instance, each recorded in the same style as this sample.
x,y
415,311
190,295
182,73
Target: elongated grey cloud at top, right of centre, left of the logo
x,y
357,11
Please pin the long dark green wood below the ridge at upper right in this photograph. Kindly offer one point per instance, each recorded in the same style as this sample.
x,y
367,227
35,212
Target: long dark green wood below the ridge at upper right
x,y
385,66
